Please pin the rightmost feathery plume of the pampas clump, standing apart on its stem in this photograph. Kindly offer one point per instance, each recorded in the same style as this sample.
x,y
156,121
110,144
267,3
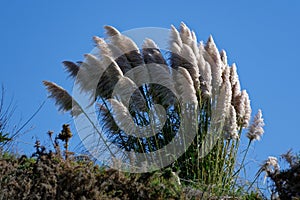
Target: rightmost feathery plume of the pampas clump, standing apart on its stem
x,y
256,128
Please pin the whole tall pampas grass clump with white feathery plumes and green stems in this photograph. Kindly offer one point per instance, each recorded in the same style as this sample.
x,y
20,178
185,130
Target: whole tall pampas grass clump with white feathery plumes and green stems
x,y
221,108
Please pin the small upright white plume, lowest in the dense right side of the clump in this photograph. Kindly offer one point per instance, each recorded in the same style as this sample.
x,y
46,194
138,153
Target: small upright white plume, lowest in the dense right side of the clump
x,y
230,127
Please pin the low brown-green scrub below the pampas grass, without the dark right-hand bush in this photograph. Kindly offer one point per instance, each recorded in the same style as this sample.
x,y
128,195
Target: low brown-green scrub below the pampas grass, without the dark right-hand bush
x,y
51,176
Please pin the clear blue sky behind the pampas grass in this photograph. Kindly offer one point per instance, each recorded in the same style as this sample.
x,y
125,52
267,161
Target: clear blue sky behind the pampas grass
x,y
261,37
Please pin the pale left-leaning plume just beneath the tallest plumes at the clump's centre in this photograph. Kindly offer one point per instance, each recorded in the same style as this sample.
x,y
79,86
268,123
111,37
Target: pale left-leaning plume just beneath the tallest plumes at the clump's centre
x,y
184,85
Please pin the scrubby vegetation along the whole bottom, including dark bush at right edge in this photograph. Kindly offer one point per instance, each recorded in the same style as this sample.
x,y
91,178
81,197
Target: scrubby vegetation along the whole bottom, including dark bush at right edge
x,y
50,174
